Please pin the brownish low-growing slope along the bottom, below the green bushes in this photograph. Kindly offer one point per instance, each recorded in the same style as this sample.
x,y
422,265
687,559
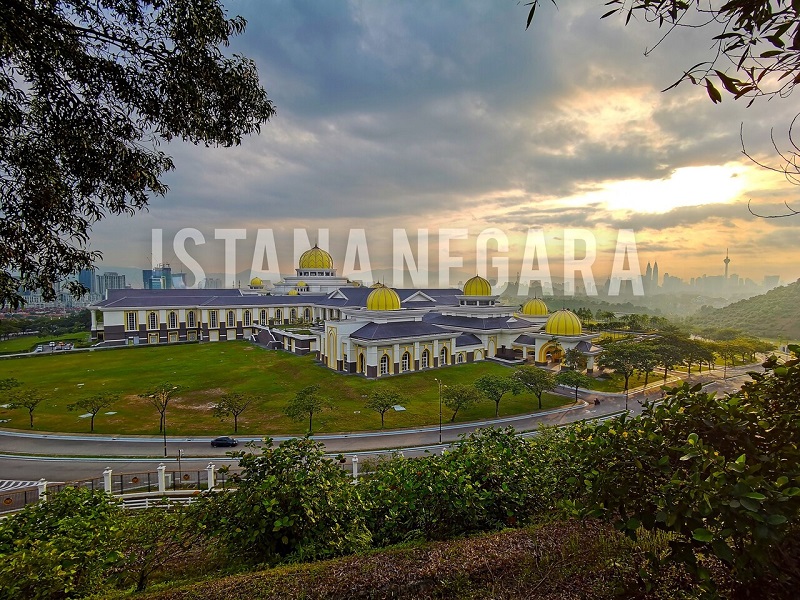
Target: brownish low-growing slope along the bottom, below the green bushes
x,y
556,561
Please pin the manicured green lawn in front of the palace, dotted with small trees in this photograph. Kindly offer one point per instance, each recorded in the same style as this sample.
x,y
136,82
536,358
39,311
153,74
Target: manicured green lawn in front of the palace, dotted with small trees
x,y
204,371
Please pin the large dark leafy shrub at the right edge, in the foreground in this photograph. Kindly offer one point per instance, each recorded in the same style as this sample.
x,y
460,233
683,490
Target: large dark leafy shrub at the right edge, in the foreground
x,y
721,473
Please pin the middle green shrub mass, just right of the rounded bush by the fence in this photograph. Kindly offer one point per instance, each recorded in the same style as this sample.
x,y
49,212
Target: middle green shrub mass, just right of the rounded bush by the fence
x,y
489,481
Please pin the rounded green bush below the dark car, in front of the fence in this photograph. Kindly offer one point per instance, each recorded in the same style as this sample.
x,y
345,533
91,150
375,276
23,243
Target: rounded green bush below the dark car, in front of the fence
x,y
289,500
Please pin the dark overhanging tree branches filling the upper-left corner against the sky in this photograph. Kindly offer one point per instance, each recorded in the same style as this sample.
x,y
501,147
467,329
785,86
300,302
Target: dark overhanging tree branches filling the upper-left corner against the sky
x,y
88,90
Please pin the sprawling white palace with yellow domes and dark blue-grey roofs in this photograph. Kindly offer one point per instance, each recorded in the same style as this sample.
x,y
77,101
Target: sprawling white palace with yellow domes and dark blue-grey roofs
x,y
374,332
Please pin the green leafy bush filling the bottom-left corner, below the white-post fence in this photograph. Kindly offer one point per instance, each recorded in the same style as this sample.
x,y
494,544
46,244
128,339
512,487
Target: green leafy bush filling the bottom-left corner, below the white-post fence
x,y
60,548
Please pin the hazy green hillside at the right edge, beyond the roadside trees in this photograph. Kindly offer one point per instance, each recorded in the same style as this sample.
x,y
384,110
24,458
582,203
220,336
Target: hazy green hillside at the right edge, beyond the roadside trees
x,y
775,314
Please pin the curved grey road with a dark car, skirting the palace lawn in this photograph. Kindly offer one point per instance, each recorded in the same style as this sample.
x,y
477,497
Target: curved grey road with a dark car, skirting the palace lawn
x,y
25,456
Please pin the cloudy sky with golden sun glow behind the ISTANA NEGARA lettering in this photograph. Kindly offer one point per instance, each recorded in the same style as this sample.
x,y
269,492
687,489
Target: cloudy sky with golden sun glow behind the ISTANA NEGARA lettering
x,y
451,116
